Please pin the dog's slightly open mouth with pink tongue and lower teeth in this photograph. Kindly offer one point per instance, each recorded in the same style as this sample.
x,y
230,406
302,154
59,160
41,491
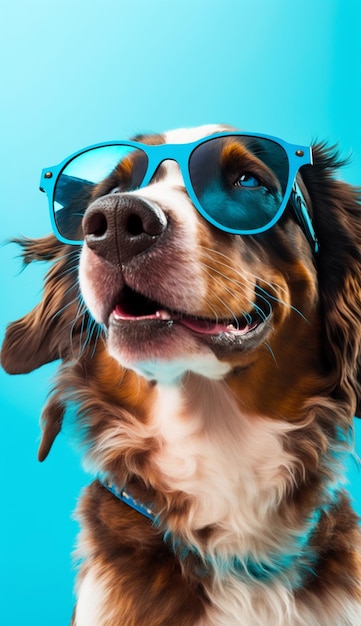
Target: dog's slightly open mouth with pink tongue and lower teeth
x,y
133,307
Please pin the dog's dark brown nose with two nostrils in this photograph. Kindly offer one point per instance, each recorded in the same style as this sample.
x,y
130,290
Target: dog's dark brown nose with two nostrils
x,y
119,227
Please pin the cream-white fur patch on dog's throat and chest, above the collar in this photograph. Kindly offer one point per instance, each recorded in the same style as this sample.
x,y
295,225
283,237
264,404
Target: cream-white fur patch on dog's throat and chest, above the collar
x,y
234,466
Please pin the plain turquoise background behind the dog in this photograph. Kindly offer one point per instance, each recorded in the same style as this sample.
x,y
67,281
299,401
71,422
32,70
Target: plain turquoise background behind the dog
x,y
79,72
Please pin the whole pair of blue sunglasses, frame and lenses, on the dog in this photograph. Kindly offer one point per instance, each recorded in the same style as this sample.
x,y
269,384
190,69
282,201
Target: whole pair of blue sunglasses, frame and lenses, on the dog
x,y
239,182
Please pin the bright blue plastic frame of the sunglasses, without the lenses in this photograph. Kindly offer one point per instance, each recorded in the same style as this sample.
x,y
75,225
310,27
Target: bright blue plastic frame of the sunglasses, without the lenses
x,y
181,153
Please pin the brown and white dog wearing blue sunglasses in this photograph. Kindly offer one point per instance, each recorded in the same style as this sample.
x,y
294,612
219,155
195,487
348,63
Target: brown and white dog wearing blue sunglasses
x,y
204,299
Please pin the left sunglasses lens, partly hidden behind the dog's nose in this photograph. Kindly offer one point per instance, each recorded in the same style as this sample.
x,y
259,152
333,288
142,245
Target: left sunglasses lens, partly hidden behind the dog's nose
x,y
92,174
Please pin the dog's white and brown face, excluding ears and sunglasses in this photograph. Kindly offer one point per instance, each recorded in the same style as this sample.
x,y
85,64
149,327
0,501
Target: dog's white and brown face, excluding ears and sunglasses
x,y
177,294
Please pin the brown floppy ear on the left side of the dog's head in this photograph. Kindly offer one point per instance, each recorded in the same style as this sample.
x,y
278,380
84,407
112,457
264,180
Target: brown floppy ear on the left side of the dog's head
x,y
58,326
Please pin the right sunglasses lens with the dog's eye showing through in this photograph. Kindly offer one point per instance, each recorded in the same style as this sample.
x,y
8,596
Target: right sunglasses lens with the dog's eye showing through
x,y
239,181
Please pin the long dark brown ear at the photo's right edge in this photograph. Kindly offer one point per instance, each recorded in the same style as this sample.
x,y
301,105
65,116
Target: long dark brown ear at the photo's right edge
x,y
336,208
